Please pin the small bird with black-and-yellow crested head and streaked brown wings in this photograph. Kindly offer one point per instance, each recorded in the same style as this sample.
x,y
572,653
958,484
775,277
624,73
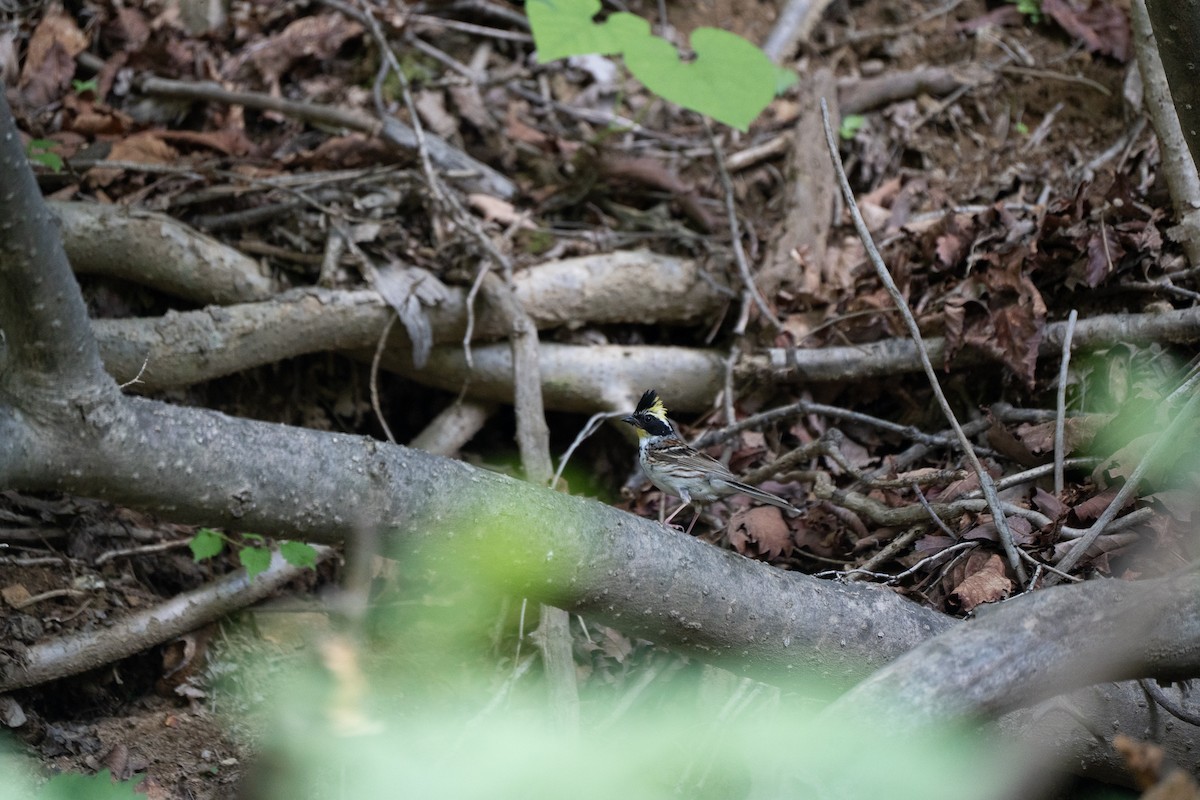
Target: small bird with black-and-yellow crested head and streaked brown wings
x,y
677,468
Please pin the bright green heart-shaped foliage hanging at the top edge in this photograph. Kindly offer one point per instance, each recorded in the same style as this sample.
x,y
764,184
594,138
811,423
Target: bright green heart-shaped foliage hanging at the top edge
x,y
730,80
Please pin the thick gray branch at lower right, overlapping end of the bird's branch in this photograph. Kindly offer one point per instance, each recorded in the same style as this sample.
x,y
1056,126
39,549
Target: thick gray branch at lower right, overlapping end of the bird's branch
x,y
1041,645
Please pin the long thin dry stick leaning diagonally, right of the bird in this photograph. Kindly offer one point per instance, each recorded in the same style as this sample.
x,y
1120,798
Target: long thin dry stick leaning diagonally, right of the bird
x,y
986,483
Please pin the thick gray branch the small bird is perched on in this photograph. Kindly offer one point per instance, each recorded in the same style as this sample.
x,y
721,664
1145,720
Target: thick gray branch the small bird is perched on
x,y
199,466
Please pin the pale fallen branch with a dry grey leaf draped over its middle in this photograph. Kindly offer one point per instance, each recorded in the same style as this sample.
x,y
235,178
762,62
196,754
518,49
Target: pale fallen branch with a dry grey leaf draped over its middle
x,y
190,347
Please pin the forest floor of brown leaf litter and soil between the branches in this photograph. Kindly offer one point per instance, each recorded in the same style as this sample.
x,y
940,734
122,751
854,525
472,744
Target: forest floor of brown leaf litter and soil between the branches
x,y
1024,188
